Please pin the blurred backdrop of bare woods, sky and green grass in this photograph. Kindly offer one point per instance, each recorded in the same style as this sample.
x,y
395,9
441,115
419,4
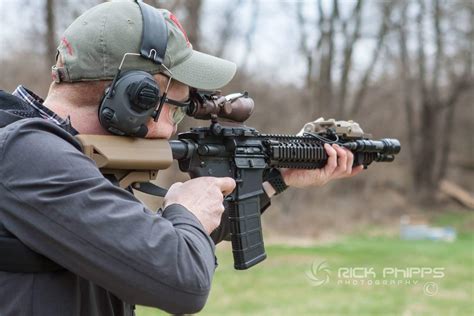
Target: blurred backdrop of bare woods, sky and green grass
x,y
401,69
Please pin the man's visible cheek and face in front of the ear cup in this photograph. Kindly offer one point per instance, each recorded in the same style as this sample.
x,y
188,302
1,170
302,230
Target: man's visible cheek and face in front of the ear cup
x,y
165,127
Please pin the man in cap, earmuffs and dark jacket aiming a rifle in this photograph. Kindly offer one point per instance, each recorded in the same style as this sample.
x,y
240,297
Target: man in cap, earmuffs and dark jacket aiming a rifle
x,y
73,242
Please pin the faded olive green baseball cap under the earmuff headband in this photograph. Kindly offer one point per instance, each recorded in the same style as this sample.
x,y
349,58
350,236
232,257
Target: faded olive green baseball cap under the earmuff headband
x,y
93,46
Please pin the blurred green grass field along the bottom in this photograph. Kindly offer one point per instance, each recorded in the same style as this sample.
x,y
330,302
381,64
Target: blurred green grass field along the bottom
x,y
286,283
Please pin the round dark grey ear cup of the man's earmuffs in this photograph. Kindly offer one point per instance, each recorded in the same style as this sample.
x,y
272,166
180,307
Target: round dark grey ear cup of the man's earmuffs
x,y
127,110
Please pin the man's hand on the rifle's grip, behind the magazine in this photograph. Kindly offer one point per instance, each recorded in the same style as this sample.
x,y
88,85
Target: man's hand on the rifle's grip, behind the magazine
x,y
203,197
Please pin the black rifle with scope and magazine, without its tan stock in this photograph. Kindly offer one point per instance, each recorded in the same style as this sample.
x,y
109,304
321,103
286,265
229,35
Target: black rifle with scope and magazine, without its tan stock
x,y
228,148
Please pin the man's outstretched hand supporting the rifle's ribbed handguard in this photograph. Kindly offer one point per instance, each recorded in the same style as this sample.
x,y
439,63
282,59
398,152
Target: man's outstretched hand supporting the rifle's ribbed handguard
x,y
339,165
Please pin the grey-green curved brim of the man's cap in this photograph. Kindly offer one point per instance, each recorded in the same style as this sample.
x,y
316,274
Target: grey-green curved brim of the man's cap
x,y
204,71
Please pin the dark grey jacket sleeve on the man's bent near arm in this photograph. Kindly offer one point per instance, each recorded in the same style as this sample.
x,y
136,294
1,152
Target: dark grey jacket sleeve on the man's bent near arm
x,y
55,200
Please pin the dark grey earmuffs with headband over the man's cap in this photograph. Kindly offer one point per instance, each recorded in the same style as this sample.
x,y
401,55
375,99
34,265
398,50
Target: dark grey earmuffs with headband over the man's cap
x,y
134,96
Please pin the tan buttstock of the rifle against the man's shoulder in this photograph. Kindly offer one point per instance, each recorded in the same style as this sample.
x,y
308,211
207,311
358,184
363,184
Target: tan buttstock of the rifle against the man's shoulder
x,y
129,159
